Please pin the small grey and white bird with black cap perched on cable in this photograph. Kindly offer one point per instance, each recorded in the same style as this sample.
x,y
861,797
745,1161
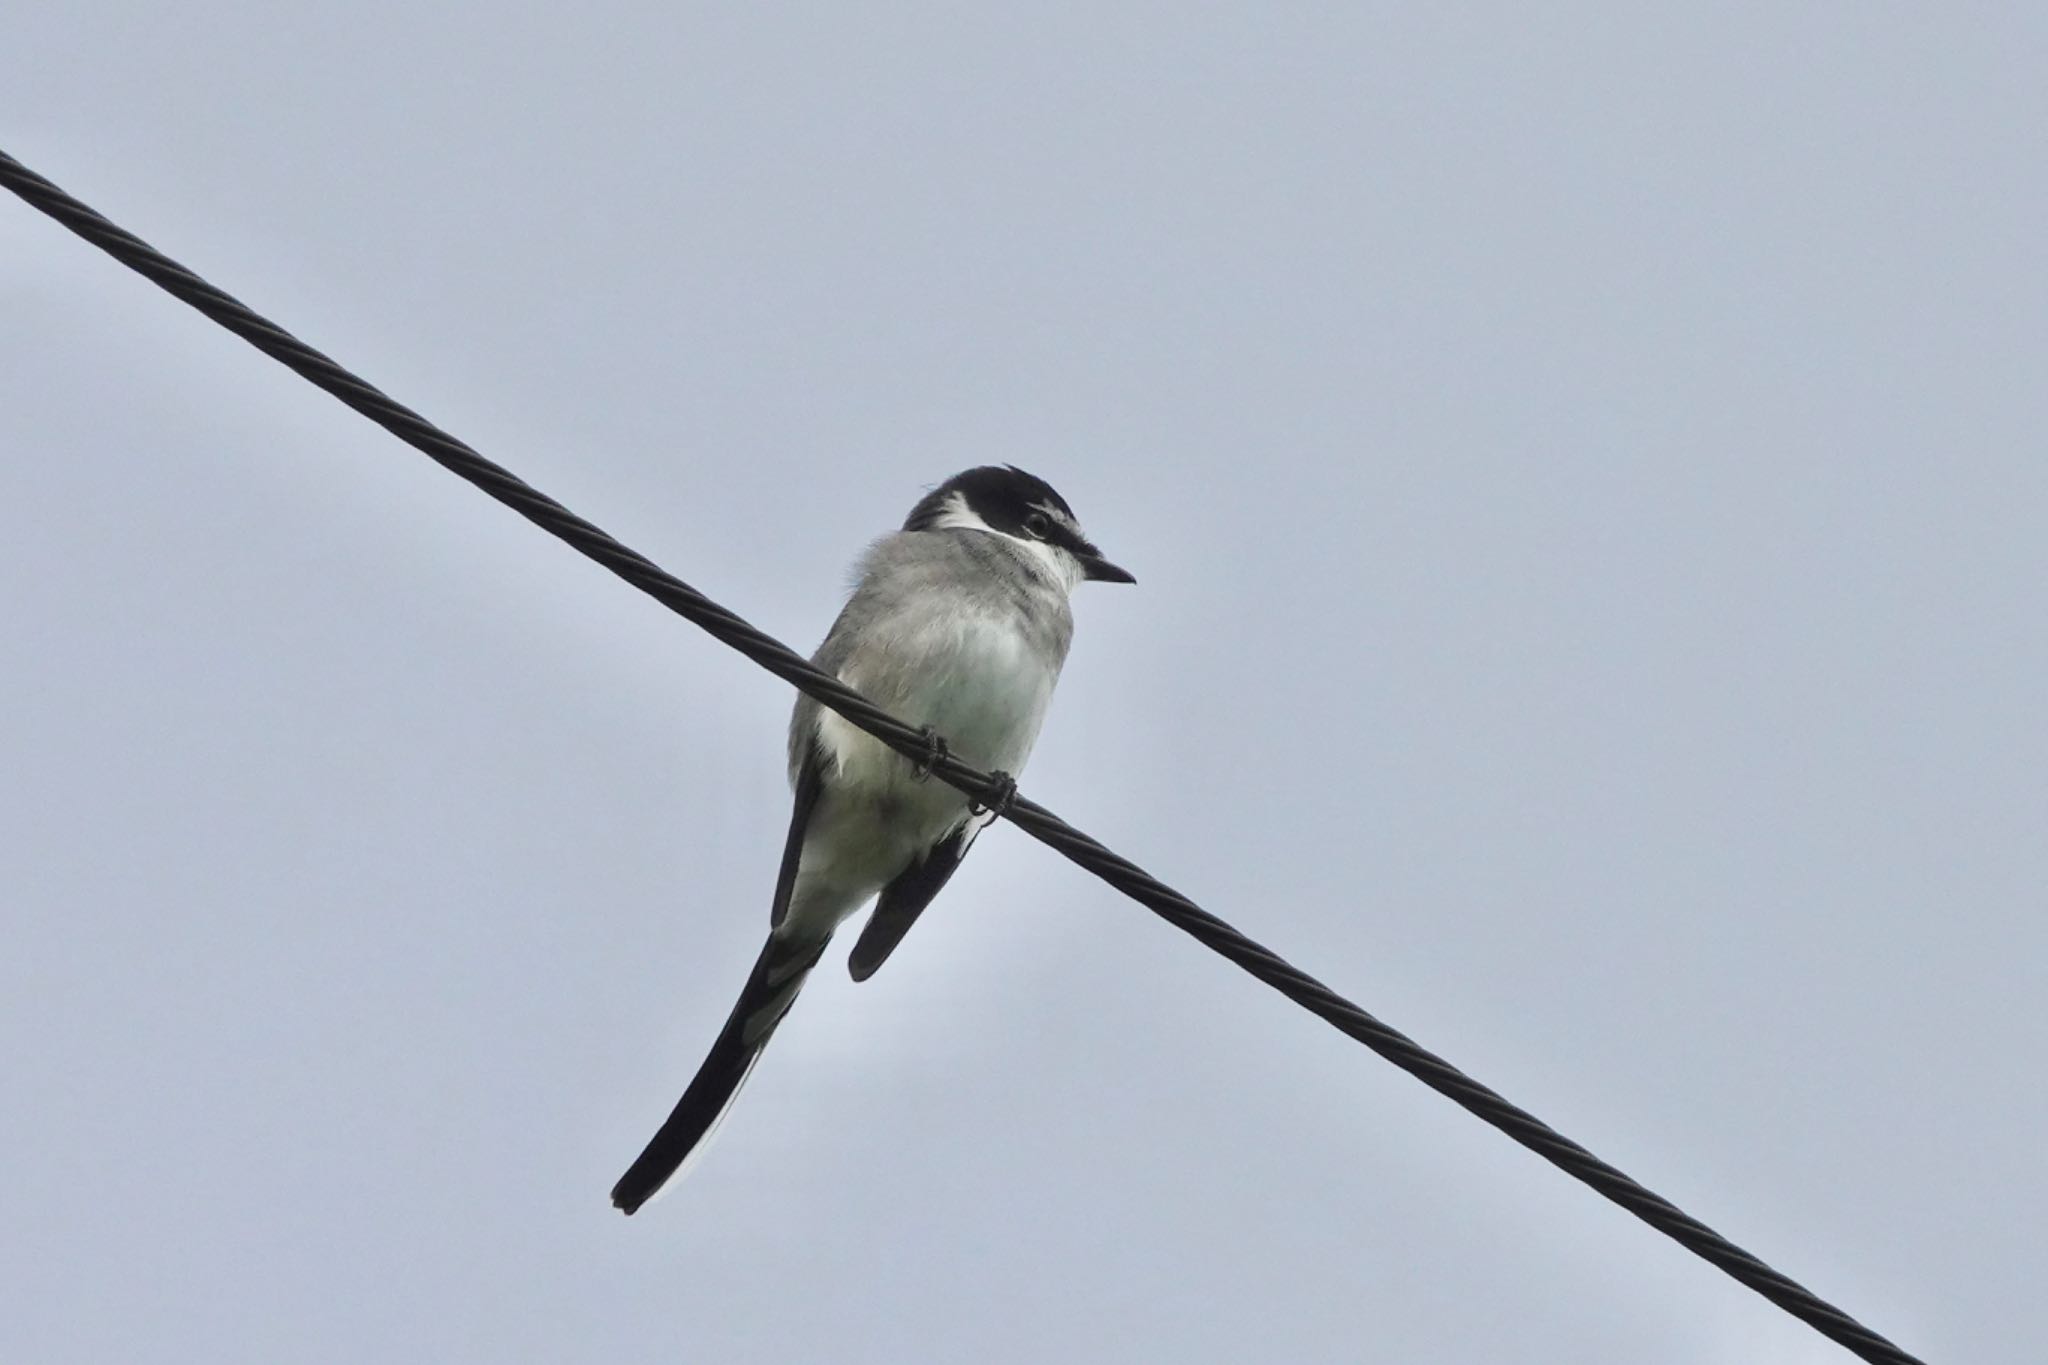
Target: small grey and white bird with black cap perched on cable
x,y
957,625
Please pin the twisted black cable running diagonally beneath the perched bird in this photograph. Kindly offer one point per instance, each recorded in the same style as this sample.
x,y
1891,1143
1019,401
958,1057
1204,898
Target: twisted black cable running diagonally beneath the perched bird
x,y
1035,820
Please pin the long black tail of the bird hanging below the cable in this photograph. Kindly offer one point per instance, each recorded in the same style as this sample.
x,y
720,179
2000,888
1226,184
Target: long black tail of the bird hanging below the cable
x,y
771,992
